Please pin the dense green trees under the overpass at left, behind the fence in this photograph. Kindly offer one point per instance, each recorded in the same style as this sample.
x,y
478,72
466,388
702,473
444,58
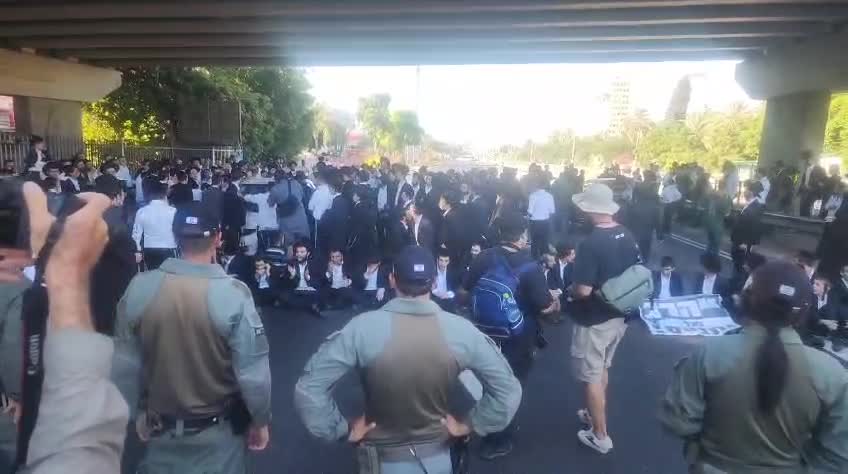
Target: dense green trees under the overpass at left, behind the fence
x,y
276,108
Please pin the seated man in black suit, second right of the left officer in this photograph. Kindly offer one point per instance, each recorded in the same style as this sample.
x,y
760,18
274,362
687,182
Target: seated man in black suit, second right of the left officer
x,y
303,282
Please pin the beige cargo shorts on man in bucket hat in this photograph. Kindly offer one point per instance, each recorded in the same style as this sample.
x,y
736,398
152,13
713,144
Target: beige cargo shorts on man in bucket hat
x,y
592,348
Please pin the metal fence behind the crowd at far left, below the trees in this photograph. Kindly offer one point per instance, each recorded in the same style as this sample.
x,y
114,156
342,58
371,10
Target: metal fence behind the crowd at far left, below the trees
x,y
14,148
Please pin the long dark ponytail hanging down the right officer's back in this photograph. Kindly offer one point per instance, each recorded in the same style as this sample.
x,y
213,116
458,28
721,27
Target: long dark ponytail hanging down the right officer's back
x,y
772,367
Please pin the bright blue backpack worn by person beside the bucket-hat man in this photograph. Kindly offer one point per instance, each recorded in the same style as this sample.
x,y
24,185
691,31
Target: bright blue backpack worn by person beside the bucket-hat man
x,y
494,308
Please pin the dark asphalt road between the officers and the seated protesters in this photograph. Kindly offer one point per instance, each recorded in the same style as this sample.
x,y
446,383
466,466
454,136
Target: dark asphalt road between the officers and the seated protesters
x,y
546,442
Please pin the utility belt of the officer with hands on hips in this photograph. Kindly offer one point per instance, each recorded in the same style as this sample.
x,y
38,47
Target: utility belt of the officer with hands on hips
x,y
371,457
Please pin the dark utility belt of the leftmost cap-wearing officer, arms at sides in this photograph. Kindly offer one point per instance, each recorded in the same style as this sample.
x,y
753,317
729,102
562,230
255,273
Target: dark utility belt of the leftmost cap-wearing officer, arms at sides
x,y
235,413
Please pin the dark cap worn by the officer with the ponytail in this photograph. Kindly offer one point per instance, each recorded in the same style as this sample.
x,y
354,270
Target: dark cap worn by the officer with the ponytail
x,y
781,280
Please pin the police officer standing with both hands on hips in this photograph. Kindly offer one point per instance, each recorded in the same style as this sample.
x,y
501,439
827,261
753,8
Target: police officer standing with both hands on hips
x,y
410,354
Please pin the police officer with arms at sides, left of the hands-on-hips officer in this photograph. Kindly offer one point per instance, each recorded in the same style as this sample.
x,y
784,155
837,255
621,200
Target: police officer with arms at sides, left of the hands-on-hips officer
x,y
192,336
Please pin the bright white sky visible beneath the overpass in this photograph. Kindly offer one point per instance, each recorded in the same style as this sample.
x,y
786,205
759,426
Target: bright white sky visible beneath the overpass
x,y
485,106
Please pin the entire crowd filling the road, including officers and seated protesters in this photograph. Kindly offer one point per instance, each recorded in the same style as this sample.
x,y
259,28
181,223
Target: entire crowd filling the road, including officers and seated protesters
x,y
457,276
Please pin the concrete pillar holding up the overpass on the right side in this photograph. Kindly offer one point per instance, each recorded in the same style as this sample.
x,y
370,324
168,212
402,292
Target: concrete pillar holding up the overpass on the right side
x,y
794,123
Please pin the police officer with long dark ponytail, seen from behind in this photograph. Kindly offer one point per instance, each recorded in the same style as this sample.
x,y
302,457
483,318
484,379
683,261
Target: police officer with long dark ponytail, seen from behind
x,y
761,401
